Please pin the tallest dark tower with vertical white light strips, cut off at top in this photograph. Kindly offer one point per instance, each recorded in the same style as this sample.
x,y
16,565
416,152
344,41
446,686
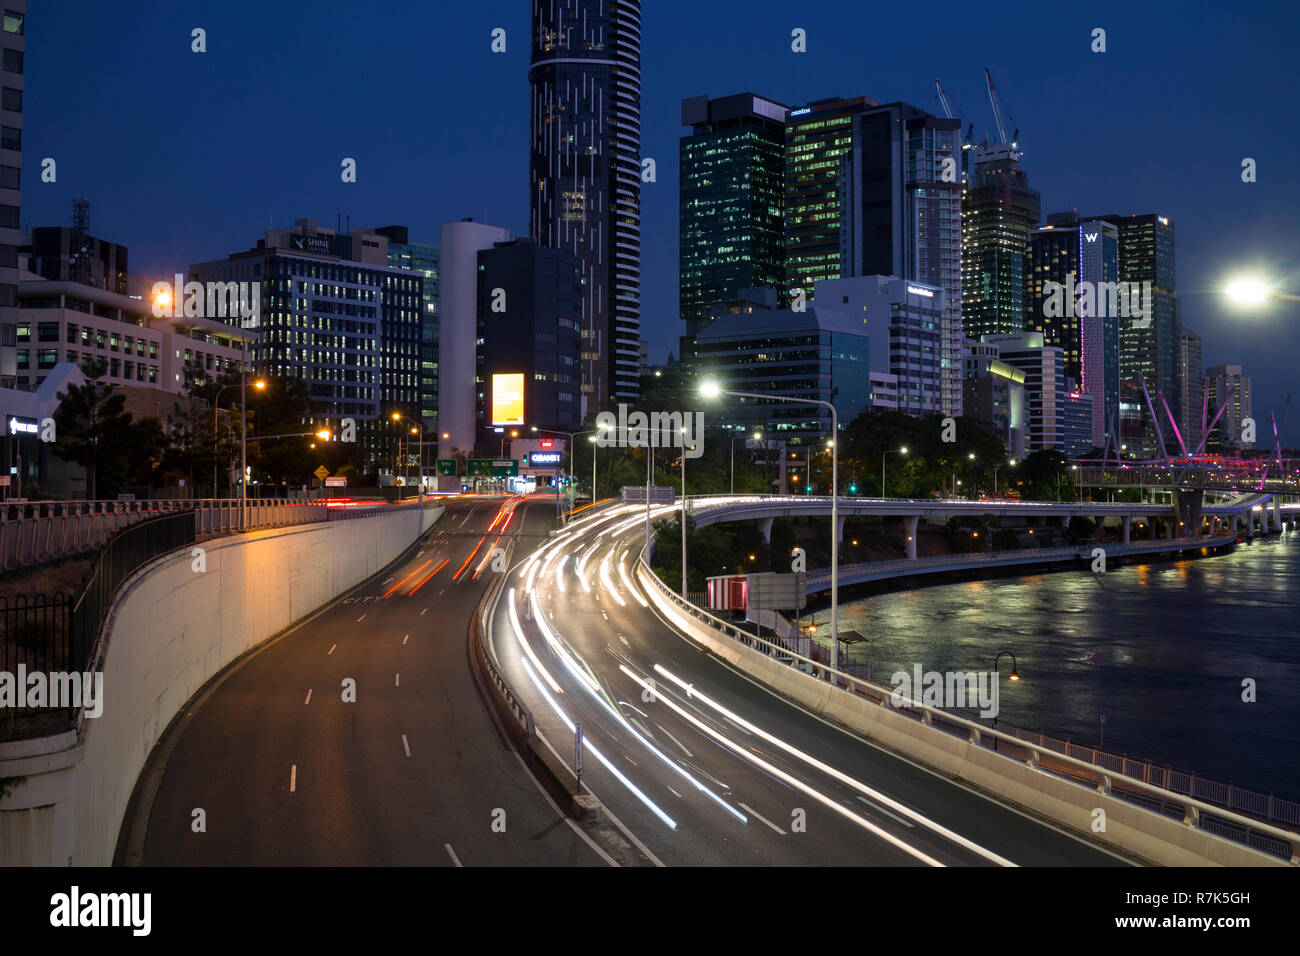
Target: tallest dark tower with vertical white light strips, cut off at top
x,y
586,175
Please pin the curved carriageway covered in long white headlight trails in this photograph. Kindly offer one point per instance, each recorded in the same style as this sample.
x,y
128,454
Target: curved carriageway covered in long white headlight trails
x,y
707,767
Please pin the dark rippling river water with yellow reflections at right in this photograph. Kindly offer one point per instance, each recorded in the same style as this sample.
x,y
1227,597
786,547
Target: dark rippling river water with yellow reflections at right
x,y
1160,650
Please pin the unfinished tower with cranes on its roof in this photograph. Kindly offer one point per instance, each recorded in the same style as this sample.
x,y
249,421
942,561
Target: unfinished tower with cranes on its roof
x,y
999,213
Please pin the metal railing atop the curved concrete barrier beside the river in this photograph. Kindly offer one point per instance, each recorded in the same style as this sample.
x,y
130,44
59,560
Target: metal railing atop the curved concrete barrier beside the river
x,y
1042,756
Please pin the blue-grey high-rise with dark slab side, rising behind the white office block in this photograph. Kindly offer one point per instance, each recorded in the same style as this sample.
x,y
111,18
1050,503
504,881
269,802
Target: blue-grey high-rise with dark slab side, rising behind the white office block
x,y
902,215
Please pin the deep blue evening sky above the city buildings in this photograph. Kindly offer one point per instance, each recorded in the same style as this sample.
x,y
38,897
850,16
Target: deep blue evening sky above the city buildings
x,y
189,157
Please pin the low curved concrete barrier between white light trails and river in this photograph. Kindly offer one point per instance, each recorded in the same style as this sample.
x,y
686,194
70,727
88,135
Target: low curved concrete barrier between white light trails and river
x,y
1130,830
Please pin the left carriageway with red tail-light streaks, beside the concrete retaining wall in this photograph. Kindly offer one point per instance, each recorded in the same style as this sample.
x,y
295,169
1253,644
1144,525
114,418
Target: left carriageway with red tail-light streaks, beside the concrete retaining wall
x,y
413,773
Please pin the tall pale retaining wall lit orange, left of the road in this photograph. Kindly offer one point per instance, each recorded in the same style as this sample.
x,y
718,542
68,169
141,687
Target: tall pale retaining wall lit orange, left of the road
x,y
171,630
